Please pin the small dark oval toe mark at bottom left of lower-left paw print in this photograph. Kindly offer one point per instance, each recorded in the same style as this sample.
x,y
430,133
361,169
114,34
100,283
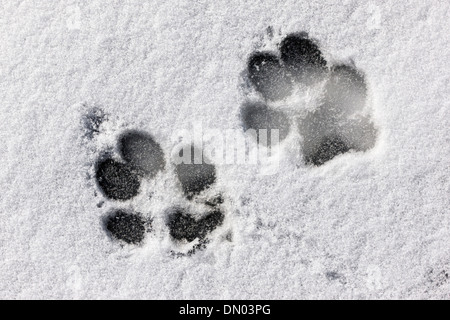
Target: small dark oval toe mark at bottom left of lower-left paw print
x,y
125,226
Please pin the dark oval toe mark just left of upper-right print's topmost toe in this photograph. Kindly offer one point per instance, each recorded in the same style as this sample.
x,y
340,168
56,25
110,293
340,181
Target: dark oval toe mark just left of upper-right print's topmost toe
x,y
268,76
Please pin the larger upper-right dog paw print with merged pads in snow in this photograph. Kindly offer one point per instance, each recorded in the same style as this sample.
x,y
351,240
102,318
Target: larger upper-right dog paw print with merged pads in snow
x,y
295,87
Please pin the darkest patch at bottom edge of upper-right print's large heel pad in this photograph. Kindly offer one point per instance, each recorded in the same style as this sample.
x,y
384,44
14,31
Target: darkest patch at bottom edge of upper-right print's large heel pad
x,y
329,148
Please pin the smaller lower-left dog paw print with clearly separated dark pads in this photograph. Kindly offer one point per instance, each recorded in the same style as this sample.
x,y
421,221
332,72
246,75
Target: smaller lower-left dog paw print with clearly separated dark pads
x,y
138,158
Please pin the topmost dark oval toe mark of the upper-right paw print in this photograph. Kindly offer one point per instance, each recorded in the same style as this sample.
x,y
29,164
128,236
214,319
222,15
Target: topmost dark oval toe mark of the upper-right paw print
x,y
302,57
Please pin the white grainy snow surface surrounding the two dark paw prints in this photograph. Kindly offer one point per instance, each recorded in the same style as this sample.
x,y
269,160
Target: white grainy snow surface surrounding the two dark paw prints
x,y
365,225
